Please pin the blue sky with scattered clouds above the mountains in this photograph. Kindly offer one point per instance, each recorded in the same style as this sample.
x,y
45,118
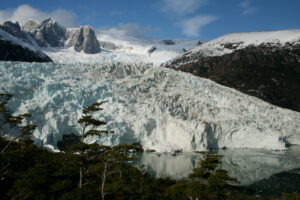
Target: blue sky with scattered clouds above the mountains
x,y
194,19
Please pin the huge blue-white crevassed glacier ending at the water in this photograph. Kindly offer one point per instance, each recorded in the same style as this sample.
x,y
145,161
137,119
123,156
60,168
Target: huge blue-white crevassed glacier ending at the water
x,y
162,109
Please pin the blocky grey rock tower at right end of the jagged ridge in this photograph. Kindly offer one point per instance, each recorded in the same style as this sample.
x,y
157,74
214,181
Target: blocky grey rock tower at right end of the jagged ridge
x,y
83,39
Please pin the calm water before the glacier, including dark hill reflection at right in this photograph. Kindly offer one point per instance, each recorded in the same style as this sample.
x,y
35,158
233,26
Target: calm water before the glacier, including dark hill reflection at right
x,y
263,171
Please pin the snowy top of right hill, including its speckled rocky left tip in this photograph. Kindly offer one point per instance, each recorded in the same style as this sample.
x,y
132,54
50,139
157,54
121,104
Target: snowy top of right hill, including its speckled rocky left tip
x,y
231,42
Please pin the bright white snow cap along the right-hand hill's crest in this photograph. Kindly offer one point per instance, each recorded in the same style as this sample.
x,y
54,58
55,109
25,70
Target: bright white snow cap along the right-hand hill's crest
x,y
230,42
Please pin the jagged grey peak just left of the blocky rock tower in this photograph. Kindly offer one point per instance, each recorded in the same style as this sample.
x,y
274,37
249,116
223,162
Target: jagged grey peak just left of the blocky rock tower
x,y
48,33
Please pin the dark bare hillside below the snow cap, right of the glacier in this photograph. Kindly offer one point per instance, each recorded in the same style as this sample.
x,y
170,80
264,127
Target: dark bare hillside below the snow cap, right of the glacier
x,y
267,71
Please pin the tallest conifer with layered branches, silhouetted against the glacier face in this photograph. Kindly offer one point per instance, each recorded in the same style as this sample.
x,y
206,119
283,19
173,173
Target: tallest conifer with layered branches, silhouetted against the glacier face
x,y
96,161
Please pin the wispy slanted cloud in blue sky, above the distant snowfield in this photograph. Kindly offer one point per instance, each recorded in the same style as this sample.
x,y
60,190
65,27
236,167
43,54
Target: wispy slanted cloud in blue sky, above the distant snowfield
x,y
192,26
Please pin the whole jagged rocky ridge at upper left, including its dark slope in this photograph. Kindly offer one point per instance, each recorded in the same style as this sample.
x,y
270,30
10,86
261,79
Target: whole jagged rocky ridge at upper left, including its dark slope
x,y
24,43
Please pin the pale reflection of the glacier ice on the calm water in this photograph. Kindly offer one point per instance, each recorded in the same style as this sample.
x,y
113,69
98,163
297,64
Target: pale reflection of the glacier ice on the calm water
x,y
246,165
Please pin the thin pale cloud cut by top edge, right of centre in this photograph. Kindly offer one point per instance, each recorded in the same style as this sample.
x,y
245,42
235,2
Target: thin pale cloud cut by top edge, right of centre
x,y
182,7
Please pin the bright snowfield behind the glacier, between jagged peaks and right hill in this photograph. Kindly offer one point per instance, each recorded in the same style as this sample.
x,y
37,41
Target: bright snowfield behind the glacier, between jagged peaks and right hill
x,y
131,50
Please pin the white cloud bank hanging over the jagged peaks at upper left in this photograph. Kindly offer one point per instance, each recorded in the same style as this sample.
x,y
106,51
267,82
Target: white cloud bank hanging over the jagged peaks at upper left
x,y
23,13
